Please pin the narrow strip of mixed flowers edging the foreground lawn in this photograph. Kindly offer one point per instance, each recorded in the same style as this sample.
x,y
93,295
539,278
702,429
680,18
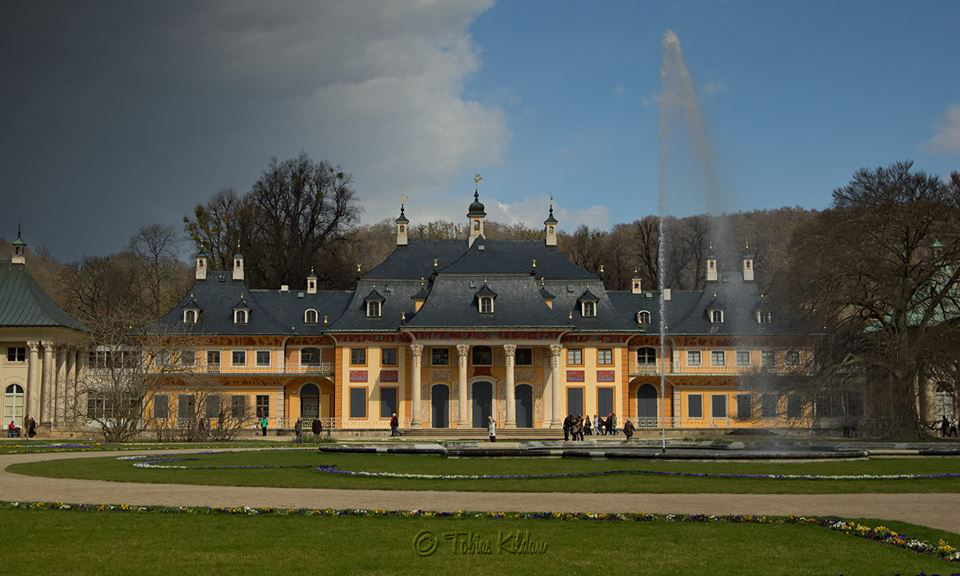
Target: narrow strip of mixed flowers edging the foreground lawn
x,y
879,534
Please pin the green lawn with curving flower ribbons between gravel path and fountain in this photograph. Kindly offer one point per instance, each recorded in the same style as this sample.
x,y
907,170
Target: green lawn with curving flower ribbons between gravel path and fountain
x,y
112,469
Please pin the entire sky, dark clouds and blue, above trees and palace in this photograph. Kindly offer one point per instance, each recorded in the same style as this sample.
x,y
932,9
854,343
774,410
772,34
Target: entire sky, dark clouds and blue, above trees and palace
x,y
119,114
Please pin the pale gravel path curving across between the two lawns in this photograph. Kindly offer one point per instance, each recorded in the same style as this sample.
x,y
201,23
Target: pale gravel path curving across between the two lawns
x,y
935,510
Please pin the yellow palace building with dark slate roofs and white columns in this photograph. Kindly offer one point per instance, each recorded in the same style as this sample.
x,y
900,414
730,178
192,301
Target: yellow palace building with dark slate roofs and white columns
x,y
446,333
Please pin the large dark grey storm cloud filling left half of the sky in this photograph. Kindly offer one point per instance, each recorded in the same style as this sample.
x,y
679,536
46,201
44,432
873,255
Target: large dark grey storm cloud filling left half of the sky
x,y
120,114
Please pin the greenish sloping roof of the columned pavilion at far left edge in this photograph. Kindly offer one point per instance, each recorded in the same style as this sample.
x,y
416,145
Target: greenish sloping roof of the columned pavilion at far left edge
x,y
24,303
